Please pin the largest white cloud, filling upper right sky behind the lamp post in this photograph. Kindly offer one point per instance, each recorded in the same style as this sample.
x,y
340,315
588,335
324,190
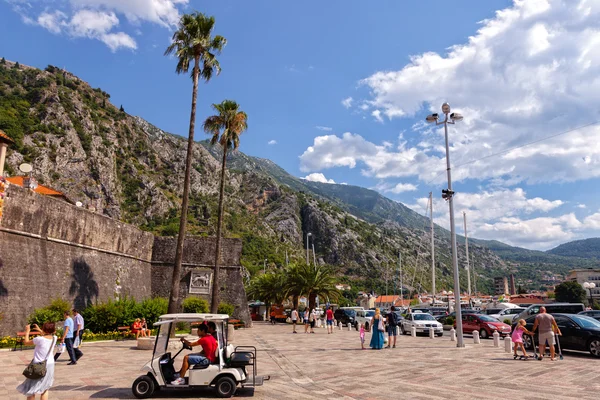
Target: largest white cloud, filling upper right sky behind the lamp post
x,y
529,72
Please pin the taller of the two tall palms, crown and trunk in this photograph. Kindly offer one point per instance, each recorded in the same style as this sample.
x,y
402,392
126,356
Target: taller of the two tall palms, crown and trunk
x,y
193,41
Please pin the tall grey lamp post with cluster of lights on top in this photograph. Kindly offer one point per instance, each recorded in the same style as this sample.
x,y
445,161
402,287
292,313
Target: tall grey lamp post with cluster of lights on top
x,y
448,194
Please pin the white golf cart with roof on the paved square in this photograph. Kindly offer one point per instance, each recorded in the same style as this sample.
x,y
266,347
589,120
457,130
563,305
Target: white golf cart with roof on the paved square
x,y
229,370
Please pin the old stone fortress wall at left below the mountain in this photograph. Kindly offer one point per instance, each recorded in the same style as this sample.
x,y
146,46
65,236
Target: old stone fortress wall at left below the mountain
x,y
52,249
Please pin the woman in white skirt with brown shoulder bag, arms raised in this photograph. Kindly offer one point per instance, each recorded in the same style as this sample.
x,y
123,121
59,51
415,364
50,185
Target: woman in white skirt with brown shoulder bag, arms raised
x,y
40,372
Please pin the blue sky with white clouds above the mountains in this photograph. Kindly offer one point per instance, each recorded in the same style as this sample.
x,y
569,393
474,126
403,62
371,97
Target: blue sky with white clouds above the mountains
x,y
338,92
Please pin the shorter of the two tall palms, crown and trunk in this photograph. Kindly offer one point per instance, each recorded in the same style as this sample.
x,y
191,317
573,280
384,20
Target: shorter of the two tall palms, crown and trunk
x,y
225,128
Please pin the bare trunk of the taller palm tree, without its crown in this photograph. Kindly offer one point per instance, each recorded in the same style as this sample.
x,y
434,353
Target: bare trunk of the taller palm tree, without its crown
x,y
175,282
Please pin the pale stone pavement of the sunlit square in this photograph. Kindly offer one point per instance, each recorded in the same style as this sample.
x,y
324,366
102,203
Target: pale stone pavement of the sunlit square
x,y
322,366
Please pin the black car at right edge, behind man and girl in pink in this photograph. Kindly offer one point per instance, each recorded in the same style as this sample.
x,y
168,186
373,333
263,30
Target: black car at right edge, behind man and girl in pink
x,y
579,332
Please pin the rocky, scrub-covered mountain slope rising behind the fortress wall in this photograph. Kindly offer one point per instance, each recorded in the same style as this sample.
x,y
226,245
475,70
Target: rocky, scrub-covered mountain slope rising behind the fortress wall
x,y
126,168
